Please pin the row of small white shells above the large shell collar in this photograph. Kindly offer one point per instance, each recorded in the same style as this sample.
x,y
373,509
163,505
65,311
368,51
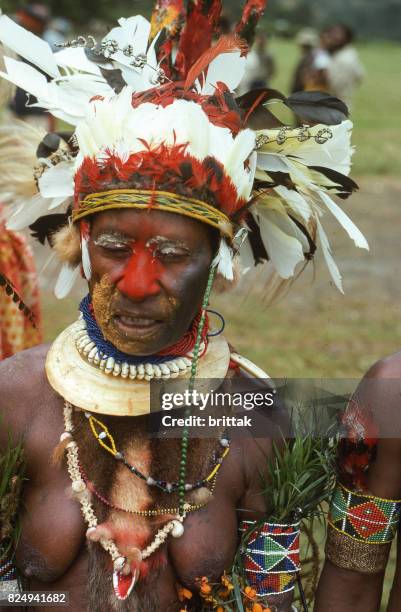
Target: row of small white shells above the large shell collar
x,y
174,368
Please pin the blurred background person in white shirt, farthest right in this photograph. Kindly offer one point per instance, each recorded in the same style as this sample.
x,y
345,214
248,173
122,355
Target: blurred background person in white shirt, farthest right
x,y
345,72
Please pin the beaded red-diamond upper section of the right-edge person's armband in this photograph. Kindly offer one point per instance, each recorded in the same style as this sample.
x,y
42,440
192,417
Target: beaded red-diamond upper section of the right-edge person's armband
x,y
364,518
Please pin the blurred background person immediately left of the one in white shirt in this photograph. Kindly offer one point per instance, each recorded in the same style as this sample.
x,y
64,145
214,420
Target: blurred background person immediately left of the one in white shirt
x,y
311,71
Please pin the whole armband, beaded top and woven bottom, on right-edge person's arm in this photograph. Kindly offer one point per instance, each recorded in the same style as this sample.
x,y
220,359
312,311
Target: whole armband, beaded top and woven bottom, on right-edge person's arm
x,y
361,529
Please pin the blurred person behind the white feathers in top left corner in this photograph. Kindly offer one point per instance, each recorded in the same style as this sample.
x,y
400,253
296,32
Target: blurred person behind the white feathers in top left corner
x,y
33,17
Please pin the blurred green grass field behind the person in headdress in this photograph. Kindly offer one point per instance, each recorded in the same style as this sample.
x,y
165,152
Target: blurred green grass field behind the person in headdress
x,y
315,331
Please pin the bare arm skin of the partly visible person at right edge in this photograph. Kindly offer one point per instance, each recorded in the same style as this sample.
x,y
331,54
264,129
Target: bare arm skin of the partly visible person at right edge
x,y
349,591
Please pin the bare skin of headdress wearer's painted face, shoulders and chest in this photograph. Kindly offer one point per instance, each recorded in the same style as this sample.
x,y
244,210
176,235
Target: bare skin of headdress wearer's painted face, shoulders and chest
x,y
52,553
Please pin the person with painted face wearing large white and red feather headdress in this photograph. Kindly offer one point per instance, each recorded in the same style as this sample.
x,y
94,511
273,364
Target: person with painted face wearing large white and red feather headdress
x,y
165,182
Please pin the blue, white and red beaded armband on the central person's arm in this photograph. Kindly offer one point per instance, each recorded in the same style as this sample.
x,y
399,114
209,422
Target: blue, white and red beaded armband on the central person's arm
x,y
271,557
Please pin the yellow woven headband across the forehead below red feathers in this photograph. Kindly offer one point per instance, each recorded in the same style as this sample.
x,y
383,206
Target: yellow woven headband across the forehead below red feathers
x,y
157,200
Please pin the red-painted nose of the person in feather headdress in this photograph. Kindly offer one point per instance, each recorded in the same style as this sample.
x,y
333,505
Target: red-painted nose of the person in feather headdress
x,y
141,276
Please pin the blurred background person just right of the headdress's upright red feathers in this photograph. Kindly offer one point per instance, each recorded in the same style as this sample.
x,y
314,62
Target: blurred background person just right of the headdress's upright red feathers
x,y
260,66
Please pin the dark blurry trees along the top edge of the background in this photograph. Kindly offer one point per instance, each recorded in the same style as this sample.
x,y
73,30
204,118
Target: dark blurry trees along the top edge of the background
x,y
369,18
